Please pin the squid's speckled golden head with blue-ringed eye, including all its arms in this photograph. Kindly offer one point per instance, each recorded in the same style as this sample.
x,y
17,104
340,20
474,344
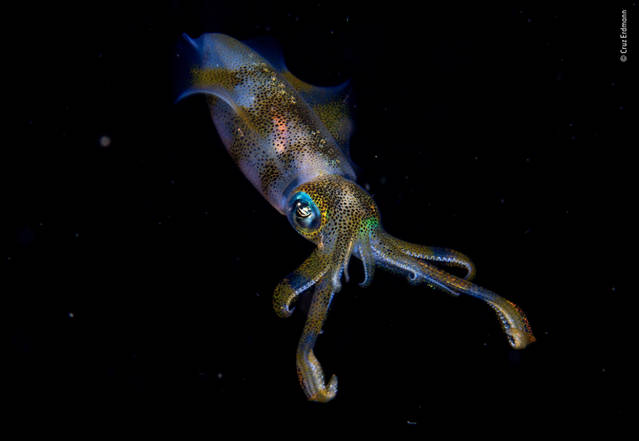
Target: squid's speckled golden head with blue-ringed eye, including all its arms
x,y
342,219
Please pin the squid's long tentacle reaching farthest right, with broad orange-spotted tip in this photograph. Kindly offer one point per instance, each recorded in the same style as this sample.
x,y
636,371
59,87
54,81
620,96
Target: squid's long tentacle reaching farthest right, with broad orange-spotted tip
x,y
512,318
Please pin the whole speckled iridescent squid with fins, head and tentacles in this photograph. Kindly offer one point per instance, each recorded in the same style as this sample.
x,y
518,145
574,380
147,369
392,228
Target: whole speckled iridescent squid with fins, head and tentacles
x,y
291,140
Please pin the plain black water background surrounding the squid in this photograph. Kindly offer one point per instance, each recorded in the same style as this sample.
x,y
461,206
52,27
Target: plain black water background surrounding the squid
x,y
139,275
